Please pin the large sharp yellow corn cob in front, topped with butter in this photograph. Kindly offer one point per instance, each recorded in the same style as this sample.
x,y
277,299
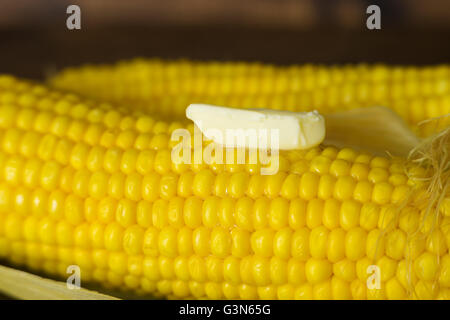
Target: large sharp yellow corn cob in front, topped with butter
x,y
85,184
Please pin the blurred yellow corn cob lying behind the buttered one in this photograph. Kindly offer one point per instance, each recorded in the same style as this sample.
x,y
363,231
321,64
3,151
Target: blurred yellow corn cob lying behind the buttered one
x,y
165,88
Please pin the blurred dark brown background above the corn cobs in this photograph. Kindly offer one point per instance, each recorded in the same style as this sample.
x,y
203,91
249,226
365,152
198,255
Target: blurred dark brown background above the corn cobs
x,y
34,40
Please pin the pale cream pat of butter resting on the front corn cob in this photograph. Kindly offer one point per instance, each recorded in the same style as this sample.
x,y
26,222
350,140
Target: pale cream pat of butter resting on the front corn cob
x,y
258,128
